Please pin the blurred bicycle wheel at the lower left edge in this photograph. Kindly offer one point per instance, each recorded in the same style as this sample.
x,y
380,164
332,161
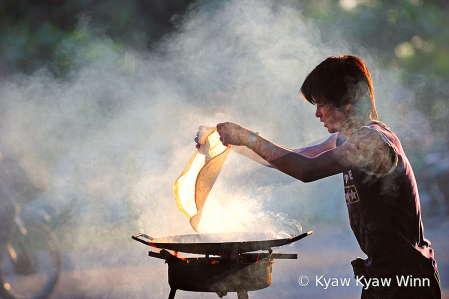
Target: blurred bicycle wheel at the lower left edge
x,y
32,270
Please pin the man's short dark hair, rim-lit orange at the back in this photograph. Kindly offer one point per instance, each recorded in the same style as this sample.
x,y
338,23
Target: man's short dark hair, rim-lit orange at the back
x,y
341,80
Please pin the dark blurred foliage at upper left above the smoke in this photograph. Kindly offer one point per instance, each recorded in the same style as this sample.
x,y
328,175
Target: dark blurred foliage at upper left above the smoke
x,y
31,29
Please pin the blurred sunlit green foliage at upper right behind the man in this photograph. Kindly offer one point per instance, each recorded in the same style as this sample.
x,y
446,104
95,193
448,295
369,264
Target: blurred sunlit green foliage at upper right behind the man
x,y
408,35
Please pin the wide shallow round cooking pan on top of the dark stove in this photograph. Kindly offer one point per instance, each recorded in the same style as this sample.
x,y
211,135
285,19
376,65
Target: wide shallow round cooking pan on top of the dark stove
x,y
218,244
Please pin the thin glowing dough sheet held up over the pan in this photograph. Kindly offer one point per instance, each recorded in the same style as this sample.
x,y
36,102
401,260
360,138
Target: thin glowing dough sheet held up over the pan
x,y
198,177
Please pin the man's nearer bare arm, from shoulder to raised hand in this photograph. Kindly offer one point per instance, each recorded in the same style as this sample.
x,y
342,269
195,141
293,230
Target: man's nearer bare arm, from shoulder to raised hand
x,y
357,150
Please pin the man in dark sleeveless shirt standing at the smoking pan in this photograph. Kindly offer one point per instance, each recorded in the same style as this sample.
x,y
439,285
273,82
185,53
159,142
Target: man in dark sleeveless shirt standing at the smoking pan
x,y
380,188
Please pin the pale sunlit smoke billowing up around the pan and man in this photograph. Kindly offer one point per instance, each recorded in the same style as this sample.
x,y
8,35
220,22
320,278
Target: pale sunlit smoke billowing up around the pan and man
x,y
109,137
